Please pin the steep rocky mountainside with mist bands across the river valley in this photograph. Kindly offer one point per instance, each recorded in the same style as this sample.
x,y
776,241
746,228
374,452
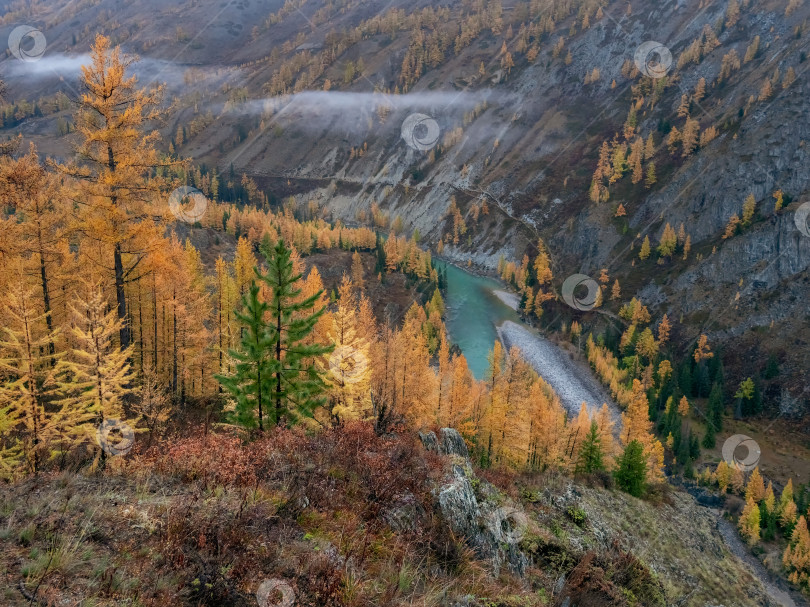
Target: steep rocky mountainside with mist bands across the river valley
x,y
309,99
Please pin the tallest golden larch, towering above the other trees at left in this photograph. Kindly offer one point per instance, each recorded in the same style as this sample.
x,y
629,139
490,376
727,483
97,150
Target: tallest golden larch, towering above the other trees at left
x,y
117,158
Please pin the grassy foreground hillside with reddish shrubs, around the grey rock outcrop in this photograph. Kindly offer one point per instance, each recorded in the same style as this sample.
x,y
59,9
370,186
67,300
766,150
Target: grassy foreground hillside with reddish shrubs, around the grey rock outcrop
x,y
346,518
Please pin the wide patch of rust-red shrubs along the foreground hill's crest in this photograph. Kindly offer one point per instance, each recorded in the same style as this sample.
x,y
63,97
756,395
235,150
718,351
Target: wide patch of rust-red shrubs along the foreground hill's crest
x,y
340,468
